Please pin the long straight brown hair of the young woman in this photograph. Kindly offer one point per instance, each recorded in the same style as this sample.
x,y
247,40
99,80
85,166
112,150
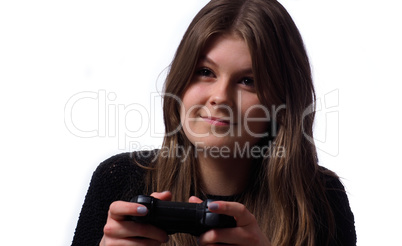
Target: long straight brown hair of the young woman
x,y
286,194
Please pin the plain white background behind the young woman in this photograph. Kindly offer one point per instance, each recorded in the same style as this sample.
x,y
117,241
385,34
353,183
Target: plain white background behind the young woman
x,y
54,51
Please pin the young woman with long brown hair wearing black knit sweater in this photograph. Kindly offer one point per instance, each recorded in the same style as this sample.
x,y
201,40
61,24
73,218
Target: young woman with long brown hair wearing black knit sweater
x,y
235,105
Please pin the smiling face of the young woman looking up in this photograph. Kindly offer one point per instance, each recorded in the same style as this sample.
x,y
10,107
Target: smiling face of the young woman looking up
x,y
220,108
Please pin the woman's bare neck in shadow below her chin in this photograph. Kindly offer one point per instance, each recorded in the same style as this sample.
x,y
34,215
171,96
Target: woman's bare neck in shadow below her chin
x,y
224,176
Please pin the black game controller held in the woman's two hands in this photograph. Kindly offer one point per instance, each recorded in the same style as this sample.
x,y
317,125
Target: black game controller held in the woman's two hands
x,y
181,217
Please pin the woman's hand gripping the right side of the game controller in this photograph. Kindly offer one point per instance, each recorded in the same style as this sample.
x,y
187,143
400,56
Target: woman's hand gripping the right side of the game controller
x,y
246,233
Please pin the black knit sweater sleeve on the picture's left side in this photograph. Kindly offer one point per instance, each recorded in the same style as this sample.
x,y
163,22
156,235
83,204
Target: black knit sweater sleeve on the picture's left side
x,y
117,178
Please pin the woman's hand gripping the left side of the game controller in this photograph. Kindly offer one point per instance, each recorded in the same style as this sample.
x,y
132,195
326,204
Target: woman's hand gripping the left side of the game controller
x,y
120,231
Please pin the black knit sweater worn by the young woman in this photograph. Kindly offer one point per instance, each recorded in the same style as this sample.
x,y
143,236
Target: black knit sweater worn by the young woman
x,y
120,178
